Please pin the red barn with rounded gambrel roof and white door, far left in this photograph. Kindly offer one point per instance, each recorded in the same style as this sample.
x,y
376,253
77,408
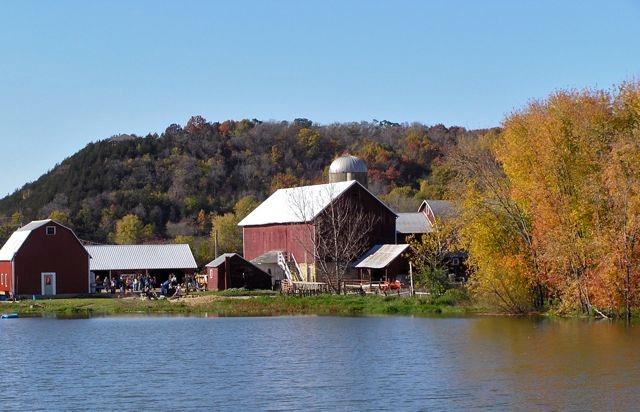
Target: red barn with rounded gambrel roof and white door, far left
x,y
44,258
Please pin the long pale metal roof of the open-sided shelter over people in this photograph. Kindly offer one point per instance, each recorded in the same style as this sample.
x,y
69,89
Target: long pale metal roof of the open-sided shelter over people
x,y
140,257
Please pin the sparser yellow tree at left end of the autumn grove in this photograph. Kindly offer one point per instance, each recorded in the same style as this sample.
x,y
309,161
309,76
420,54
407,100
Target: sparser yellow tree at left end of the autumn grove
x,y
495,230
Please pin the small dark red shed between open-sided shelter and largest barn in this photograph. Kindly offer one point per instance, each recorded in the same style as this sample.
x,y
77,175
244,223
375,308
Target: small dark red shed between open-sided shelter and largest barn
x,y
230,270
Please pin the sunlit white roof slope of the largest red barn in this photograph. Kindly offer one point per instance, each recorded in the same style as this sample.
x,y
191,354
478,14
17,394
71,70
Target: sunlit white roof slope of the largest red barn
x,y
296,204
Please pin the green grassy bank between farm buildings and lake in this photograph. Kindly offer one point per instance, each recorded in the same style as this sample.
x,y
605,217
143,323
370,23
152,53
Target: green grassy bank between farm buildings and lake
x,y
261,305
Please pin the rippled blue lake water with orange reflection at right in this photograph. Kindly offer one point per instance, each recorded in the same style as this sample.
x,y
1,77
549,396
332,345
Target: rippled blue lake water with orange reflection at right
x,y
318,363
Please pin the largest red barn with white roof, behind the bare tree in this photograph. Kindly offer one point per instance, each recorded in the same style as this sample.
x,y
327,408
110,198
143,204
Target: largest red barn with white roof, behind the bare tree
x,y
285,222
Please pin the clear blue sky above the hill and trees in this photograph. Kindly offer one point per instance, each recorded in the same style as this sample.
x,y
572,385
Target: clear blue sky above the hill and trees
x,y
72,72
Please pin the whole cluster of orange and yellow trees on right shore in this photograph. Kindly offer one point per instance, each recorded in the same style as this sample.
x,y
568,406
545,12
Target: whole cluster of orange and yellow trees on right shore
x,y
571,171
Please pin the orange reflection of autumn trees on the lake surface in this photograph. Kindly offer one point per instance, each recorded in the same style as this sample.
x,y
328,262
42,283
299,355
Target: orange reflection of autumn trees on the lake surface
x,y
543,362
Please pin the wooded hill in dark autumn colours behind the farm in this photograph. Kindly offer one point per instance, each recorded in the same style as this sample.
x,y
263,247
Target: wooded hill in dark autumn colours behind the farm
x,y
160,187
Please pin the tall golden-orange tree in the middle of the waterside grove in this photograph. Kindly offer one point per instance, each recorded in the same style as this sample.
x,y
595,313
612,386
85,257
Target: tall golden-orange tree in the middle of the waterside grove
x,y
552,154
